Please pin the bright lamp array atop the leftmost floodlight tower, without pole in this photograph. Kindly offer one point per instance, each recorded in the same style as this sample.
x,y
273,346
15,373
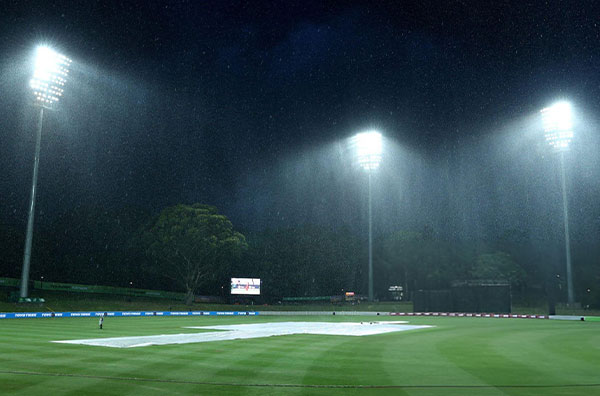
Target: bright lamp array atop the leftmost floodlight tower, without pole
x,y
50,76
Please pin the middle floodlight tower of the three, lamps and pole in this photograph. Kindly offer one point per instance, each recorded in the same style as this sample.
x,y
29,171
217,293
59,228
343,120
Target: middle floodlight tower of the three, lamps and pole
x,y
368,147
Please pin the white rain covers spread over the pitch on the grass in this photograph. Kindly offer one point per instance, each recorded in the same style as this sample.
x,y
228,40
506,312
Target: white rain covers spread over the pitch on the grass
x,y
246,331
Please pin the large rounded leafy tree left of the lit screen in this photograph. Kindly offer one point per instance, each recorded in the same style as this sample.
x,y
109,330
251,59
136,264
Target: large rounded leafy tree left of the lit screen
x,y
192,245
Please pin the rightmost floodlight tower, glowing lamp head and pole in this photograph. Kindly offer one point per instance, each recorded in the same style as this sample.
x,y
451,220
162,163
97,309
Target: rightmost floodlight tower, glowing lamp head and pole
x,y
558,130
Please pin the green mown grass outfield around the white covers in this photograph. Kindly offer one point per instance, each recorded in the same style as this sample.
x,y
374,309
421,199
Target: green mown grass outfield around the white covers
x,y
459,356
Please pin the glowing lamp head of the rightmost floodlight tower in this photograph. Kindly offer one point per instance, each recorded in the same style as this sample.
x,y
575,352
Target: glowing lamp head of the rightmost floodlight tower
x,y
558,125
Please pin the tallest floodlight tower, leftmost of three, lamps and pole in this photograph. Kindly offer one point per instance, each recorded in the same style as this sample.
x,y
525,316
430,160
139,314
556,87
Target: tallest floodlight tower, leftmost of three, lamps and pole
x,y
47,83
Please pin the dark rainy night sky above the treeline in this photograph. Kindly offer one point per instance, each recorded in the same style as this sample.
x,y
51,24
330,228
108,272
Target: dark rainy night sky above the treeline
x,y
247,105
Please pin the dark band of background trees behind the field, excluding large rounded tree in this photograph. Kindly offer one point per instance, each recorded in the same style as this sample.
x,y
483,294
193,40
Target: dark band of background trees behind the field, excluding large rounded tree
x,y
110,247
